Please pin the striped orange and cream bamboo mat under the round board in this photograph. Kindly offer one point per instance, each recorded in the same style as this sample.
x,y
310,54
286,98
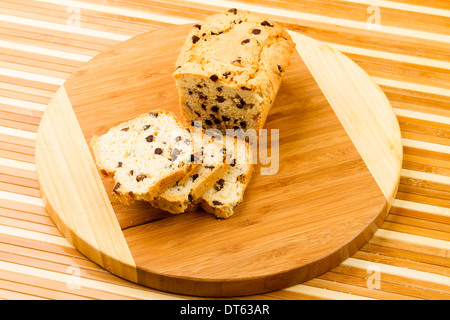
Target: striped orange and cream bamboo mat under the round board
x,y
403,44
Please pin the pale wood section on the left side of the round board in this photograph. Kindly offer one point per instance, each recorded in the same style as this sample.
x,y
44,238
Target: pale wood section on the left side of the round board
x,y
73,192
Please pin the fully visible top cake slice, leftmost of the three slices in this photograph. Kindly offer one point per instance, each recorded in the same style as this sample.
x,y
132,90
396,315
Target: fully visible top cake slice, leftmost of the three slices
x,y
145,156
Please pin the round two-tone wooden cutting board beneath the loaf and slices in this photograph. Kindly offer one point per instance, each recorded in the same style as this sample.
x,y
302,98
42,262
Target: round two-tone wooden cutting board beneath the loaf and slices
x,y
338,170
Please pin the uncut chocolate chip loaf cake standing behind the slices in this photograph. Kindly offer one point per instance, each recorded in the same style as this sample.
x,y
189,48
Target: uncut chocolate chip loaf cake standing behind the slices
x,y
230,69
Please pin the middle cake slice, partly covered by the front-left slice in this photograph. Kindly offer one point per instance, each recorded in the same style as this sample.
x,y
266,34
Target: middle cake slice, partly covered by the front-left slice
x,y
182,196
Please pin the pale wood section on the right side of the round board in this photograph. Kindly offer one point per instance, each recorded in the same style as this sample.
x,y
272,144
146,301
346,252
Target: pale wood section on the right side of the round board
x,y
353,94
